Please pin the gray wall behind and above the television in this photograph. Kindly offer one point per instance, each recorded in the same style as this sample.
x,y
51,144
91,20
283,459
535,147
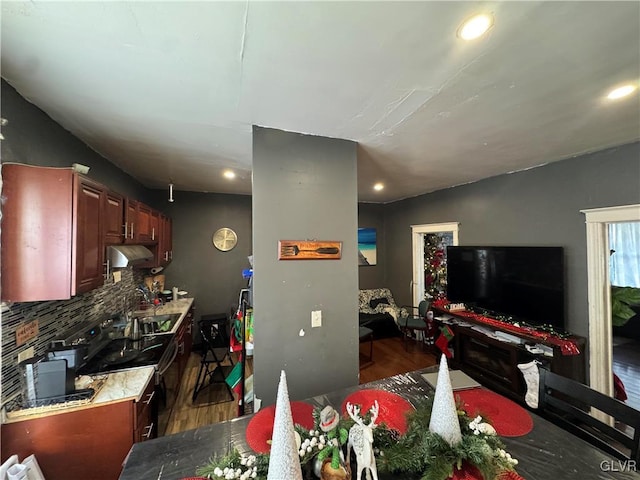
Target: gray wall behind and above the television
x,y
534,207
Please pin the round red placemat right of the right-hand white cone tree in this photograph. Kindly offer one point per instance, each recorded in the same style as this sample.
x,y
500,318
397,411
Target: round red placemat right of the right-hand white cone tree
x,y
507,417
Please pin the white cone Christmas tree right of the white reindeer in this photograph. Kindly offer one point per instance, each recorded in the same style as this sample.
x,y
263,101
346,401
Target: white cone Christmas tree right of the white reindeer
x,y
444,417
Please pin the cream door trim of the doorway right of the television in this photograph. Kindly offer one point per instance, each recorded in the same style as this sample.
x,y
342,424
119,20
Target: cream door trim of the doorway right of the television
x,y
599,291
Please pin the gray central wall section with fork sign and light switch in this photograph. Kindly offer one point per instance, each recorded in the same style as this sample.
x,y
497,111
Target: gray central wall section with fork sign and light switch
x,y
304,187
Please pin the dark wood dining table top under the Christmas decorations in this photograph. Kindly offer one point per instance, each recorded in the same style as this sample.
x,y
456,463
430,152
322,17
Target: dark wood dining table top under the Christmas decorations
x,y
544,452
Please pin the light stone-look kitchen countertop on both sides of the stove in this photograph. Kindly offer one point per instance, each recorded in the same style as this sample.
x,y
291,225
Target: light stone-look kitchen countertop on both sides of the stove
x,y
122,385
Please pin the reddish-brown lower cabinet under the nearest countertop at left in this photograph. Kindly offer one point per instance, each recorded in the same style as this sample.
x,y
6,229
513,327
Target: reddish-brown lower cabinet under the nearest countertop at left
x,y
89,443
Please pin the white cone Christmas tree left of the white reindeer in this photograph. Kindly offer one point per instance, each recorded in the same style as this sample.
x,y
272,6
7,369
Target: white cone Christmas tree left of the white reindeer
x,y
284,462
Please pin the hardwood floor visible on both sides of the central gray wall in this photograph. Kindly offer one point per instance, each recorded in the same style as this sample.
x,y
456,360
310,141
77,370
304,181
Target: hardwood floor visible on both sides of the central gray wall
x,y
389,358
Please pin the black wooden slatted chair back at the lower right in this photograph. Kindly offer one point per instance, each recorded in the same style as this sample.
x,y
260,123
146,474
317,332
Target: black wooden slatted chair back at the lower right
x,y
568,402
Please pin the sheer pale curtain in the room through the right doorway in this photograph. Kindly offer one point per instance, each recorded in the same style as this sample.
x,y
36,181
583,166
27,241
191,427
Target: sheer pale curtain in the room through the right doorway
x,y
624,241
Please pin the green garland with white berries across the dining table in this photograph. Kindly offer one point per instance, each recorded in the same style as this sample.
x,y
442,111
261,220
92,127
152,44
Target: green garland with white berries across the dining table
x,y
419,452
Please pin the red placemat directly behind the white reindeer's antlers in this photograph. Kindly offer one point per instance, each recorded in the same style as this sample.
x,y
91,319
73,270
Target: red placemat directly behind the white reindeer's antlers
x,y
392,407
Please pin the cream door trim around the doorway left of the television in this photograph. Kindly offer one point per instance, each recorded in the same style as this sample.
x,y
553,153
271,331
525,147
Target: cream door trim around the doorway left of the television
x,y
448,232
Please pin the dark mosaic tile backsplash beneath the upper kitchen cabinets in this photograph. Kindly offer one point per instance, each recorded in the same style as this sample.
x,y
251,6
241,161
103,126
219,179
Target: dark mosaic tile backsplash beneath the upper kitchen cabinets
x,y
55,318
